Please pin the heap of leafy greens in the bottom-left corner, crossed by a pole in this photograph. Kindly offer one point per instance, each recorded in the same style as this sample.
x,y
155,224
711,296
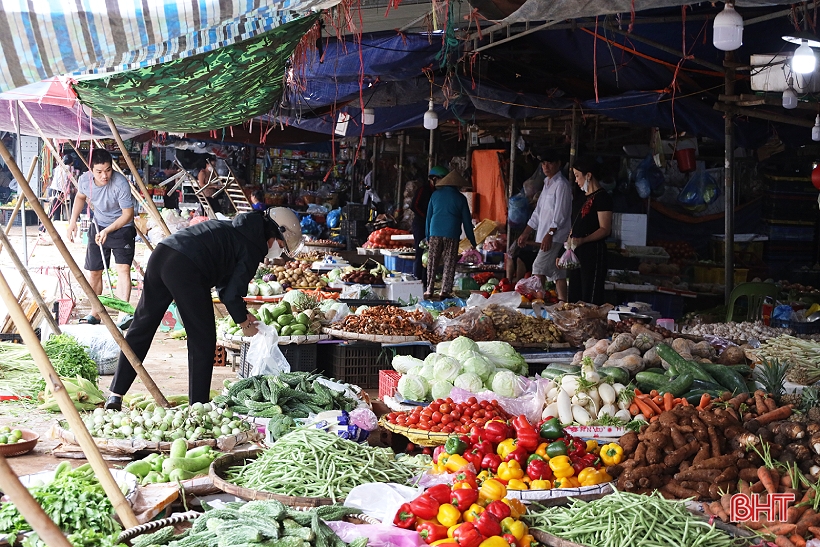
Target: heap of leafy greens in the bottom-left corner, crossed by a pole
x,y
75,500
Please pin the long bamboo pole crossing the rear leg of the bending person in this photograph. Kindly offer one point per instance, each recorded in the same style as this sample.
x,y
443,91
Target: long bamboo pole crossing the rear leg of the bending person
x,y
96,305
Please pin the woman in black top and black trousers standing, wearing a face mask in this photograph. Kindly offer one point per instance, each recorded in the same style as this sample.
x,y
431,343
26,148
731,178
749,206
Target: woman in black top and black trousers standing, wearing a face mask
x,y
591,226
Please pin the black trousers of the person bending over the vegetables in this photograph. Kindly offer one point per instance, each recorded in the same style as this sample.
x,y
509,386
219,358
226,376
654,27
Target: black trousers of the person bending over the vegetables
x,y
172,276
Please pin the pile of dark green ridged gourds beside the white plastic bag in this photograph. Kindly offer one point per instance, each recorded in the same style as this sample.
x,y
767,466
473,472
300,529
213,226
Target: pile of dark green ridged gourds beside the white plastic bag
x,y
294,394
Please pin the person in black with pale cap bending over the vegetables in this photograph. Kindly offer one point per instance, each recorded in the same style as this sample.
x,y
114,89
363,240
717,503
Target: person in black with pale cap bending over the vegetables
x,y
183,268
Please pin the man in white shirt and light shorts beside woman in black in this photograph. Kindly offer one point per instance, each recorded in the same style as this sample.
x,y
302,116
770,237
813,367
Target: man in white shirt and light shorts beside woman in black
x,y
551,223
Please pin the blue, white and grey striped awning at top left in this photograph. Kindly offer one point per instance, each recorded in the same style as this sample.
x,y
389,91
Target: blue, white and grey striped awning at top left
x,y
43,39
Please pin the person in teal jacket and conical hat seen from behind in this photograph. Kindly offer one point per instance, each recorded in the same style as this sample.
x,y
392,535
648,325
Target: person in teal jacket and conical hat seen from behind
x,y
447,213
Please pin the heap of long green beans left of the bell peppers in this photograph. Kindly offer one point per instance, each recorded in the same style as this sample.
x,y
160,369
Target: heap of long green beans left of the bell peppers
x,y
313,463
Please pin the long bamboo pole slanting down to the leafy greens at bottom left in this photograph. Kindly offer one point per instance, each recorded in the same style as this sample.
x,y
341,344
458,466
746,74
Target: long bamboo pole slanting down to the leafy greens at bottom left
x,y
92,453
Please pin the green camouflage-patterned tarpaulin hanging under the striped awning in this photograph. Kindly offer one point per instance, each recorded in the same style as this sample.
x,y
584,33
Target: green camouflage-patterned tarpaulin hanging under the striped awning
x,y
207,91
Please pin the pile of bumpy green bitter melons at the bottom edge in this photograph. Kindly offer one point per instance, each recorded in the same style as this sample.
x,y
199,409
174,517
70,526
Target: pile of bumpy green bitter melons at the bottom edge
x,y
261,522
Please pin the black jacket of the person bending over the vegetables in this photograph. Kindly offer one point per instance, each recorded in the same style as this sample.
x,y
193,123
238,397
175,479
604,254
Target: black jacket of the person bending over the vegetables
x,y
228,254
